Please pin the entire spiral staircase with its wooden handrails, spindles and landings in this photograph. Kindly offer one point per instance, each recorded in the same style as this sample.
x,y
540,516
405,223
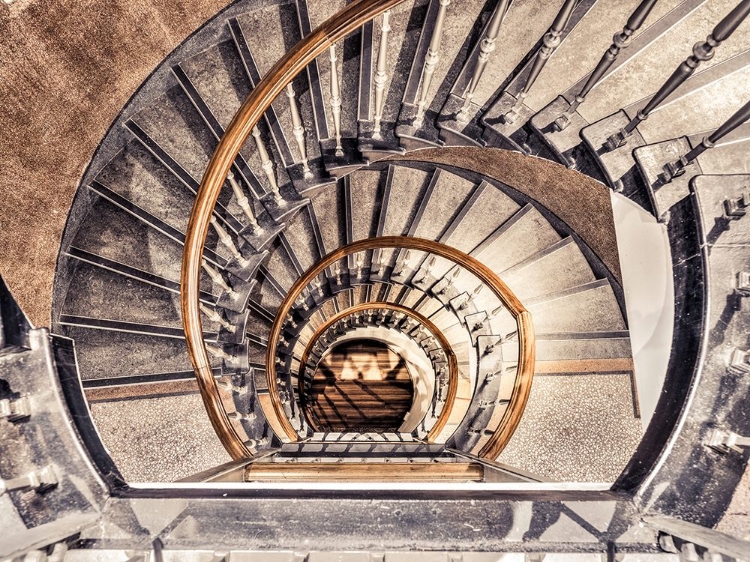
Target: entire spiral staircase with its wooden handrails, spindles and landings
x,y
427,193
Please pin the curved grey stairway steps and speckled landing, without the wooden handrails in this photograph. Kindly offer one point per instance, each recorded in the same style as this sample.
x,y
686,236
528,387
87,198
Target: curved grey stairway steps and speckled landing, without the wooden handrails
x,y
308,182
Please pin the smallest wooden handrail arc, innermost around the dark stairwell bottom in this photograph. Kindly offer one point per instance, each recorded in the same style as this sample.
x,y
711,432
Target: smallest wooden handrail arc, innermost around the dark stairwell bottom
x,y
434,330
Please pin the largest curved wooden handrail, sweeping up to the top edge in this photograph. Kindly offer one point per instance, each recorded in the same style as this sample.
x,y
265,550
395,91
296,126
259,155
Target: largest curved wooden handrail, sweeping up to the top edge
x,y
247,117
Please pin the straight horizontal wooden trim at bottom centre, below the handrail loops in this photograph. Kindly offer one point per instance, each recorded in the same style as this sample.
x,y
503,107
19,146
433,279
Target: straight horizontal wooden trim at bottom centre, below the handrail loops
x,y
365,472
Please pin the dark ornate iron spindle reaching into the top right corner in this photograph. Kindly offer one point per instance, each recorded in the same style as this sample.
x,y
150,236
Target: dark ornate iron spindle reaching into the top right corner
x,y
702,51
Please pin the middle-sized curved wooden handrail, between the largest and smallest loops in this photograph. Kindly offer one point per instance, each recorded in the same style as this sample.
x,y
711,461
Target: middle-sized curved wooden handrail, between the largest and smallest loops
x,y
525,372
